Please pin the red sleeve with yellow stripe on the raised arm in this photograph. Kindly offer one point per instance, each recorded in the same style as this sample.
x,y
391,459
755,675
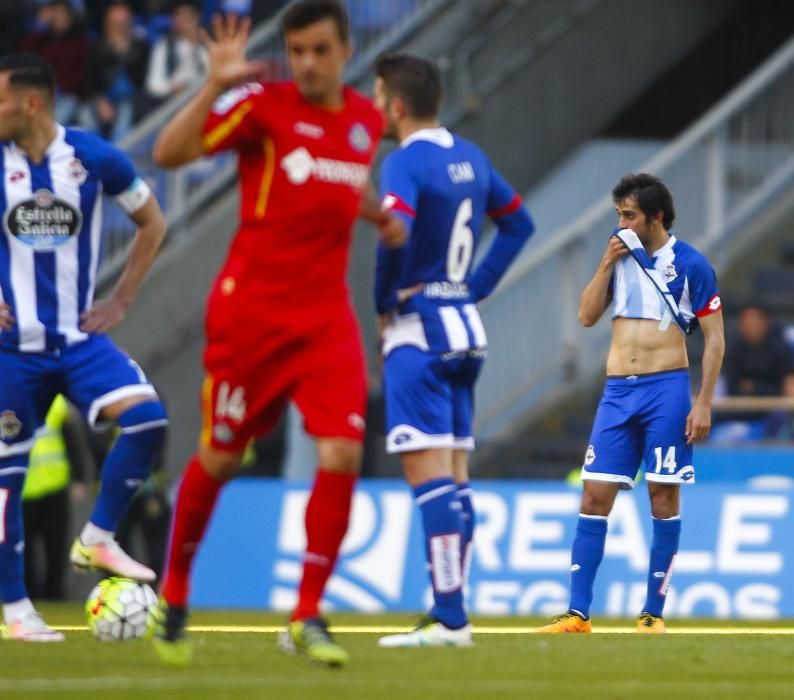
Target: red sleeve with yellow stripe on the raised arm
x,y
230,124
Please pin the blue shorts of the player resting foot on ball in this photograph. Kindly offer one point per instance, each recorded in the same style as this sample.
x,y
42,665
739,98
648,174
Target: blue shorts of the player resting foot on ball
x,y
92,374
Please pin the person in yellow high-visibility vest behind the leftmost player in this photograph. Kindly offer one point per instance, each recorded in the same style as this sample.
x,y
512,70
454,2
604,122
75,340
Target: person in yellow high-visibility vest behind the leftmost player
x,y
57,457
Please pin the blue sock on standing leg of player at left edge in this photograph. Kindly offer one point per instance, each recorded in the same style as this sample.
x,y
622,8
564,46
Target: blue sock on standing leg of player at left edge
x,y
12,537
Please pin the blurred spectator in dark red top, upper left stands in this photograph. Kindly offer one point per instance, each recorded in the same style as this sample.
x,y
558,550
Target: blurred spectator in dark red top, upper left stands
x,y
61,40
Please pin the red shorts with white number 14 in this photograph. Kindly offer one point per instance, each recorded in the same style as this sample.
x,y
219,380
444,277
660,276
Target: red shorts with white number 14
x,y
255,366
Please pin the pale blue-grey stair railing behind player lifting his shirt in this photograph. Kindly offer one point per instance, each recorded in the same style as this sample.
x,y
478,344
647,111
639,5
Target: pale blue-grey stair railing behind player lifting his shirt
x,y
723,172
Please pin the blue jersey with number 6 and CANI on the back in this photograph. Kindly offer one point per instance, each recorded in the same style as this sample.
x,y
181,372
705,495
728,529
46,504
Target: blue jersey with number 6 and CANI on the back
x,y
443,187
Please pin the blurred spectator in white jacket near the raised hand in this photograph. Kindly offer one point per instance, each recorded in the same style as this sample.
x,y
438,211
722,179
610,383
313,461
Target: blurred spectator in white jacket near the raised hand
x,y
179,58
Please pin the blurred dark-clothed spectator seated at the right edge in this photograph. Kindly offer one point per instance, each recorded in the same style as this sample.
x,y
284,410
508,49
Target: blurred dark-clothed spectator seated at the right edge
x,y
759,362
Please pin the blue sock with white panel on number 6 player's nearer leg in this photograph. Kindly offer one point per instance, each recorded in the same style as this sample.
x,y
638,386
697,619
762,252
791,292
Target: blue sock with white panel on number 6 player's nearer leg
x,y
441,516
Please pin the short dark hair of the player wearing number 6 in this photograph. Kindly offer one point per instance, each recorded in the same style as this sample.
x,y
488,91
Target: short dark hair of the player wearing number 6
x,y
416,80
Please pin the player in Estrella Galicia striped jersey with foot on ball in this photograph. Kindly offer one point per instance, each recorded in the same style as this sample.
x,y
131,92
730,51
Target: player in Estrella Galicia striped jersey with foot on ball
x,y
51,330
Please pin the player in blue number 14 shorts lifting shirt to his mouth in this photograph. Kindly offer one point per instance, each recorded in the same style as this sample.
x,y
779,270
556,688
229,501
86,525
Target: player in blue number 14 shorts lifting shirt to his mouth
x,y
662,290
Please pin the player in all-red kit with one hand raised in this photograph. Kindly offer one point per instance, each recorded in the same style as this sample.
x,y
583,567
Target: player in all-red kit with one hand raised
x,y
279,322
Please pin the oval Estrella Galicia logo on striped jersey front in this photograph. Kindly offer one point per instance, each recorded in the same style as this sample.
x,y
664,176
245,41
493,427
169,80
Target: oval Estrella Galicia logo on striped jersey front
x,y
43,221
